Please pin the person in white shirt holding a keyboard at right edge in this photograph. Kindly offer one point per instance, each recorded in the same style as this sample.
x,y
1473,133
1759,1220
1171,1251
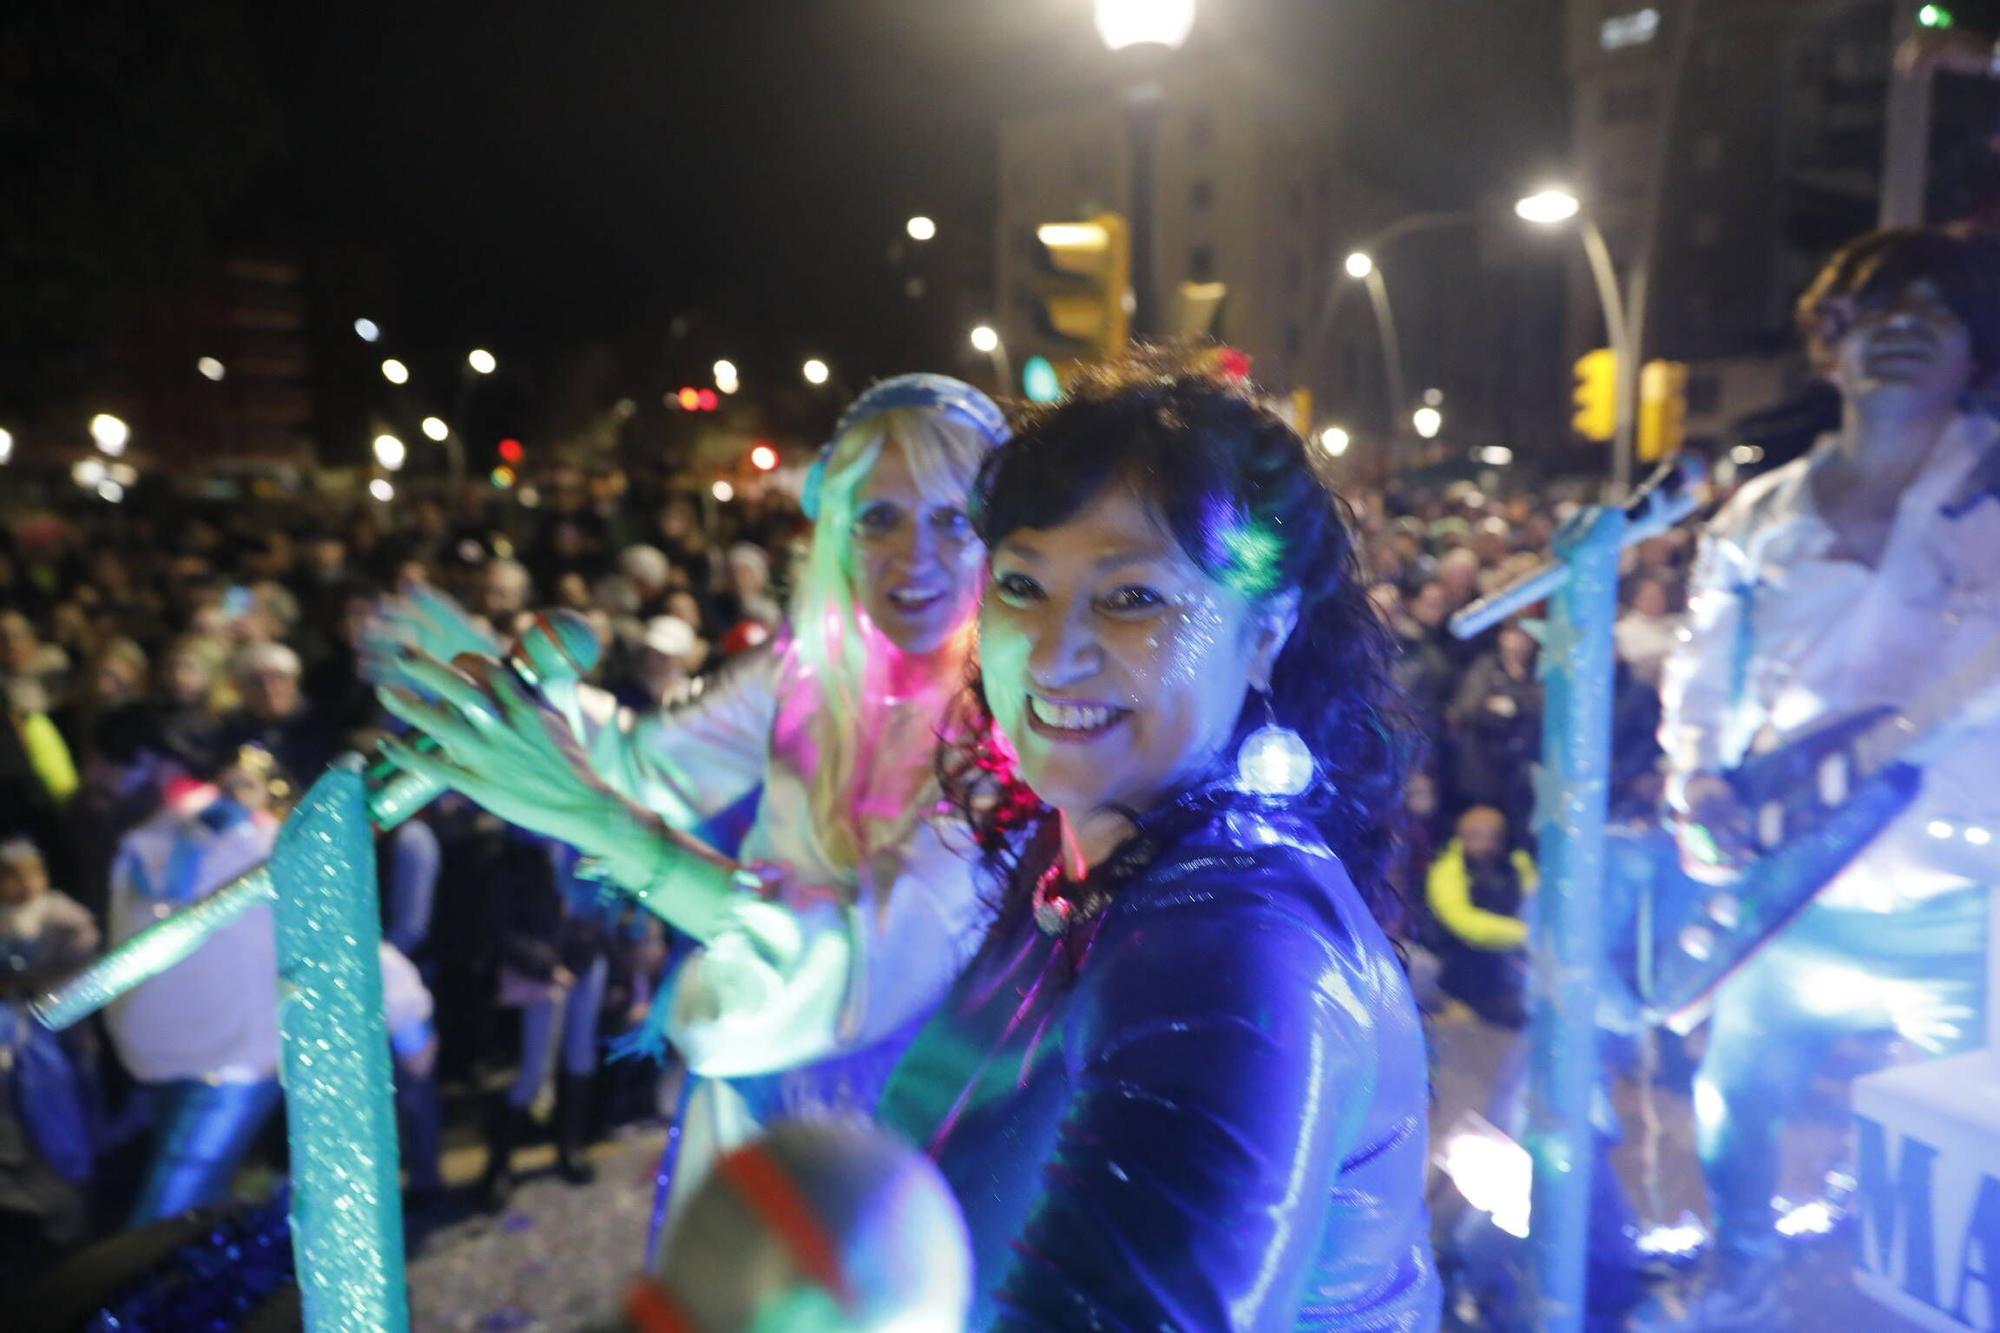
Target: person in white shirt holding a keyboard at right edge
x,y
1859,575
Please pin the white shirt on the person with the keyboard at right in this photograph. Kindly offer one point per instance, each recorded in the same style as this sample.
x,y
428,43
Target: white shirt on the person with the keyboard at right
x,y
1831,635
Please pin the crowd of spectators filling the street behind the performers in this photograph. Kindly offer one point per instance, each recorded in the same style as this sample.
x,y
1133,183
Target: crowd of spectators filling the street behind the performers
x,y
151,647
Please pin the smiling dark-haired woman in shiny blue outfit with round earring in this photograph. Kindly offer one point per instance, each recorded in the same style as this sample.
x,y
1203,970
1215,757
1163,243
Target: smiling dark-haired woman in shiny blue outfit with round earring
x,y
1183,1084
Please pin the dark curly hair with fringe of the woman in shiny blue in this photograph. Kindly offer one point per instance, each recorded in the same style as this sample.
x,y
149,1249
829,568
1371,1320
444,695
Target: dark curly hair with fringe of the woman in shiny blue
x,y
1243,497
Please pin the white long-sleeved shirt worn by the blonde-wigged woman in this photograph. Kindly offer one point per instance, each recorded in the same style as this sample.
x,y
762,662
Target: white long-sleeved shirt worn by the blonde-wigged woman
x,y
855,954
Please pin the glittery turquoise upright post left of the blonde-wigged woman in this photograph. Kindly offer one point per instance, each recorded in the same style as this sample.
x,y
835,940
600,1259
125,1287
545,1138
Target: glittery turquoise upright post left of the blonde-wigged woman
x,y
341,1114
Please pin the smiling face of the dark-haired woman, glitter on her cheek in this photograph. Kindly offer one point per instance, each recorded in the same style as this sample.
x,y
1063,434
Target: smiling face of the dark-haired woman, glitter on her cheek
x,y
1113,663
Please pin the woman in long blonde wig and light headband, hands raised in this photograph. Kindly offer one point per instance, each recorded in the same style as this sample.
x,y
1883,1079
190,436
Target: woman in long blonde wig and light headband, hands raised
x,y
853,904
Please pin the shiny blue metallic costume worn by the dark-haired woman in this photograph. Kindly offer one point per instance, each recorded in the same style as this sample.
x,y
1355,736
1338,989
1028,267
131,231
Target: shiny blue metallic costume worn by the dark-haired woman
x,y
1203,1110
